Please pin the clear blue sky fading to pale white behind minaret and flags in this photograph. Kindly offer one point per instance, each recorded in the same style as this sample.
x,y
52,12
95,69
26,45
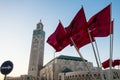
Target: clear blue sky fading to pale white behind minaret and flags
x,y
18,19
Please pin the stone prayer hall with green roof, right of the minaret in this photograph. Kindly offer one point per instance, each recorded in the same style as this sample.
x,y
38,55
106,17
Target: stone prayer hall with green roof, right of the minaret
x,y
63,64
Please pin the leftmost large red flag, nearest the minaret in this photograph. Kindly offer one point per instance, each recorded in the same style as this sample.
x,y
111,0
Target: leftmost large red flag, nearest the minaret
x,y
58,39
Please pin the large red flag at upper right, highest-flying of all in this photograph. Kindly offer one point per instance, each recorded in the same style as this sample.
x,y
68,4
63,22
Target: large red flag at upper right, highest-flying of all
x,y
99,24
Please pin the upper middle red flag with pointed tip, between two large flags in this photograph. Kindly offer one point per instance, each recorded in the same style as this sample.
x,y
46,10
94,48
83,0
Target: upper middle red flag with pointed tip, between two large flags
x,y
78,23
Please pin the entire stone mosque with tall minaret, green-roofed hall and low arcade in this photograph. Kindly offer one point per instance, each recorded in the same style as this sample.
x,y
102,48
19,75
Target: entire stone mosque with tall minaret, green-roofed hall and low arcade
x,y
62,67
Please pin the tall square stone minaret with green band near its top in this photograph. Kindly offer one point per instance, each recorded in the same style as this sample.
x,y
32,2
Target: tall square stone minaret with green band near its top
x,y
37,51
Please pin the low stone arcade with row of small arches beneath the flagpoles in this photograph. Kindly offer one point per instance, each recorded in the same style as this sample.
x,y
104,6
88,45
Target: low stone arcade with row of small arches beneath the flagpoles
x,y
85,75
